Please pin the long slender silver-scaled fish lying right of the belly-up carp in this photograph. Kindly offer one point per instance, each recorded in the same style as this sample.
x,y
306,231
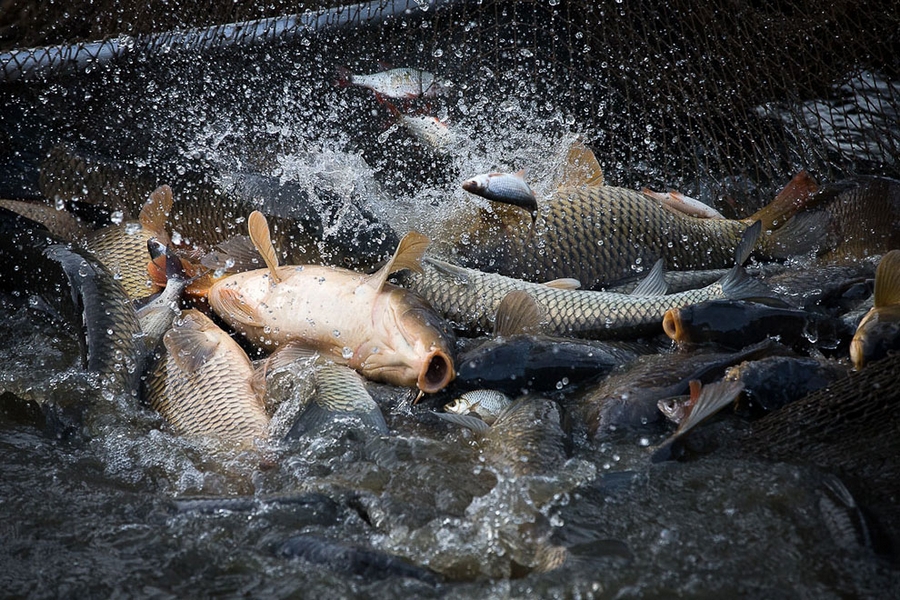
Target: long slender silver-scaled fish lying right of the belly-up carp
x,y
469,298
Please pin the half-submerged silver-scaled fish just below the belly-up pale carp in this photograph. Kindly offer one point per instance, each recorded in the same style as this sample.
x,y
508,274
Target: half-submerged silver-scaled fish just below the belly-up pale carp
x,y
339,392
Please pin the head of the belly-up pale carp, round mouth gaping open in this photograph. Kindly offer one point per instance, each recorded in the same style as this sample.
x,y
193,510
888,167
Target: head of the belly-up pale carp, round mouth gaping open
x,y
411,346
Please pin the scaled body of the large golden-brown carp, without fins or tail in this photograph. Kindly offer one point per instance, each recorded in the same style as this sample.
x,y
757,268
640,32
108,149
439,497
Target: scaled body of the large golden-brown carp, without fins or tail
x,y
598,235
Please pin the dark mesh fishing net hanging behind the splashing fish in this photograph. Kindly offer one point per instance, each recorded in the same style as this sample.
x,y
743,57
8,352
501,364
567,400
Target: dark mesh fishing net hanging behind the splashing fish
x,y
723,100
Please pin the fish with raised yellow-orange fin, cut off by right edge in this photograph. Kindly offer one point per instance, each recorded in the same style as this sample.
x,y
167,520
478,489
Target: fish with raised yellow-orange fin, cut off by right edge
x,y
879,331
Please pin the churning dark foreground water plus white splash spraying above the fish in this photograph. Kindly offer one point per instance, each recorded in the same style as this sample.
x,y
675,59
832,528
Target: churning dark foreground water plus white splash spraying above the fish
x,y
106,507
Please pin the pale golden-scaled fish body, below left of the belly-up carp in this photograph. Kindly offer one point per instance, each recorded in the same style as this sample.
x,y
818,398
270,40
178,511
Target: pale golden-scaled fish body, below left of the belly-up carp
x,y
204,384
